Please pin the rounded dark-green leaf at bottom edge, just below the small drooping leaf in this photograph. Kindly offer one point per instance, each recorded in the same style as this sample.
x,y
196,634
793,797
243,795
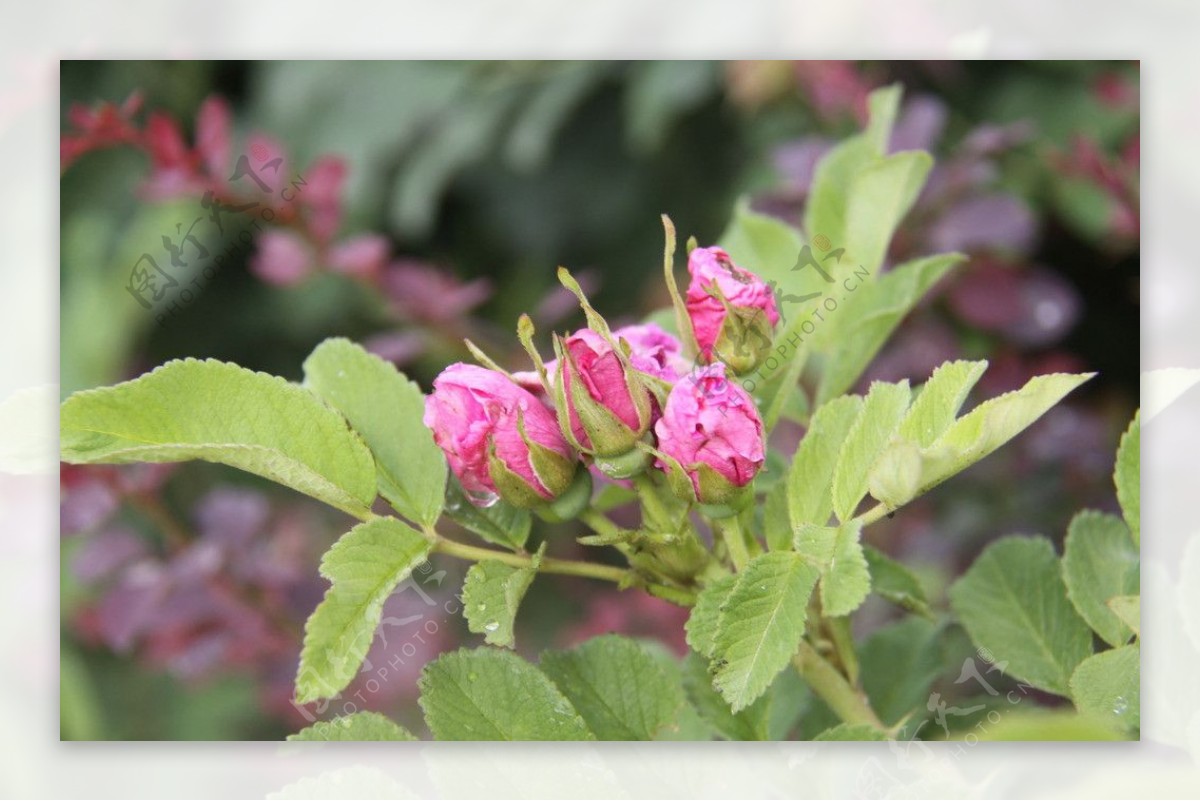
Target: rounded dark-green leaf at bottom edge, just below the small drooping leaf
x,y
494,695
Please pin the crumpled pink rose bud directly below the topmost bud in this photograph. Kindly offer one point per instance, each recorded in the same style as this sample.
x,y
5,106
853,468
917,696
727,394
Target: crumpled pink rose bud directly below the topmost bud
x,y
710,437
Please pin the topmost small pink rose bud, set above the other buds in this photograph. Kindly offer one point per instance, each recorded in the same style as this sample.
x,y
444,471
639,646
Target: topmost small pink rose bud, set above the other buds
x,y
733,311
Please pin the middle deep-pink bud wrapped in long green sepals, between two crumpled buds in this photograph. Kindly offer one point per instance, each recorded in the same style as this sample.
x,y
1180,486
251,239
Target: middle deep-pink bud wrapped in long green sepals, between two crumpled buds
x,y
608,403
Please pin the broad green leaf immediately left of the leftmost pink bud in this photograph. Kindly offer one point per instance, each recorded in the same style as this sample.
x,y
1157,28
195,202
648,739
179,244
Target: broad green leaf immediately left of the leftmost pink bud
x,y
387,409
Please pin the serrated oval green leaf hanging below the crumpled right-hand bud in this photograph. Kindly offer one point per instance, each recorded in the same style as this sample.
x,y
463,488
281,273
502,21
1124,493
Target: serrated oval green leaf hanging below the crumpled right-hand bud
x,y
761,625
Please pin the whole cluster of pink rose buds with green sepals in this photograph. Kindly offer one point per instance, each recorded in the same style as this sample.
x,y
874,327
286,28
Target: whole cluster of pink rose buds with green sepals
x,y
619,401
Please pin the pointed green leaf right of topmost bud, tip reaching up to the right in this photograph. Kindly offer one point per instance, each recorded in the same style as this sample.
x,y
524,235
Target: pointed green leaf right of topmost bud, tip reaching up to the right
x,y
871,315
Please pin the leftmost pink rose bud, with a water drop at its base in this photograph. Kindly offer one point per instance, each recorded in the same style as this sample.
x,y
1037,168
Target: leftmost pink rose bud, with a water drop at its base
x,y
501,442
